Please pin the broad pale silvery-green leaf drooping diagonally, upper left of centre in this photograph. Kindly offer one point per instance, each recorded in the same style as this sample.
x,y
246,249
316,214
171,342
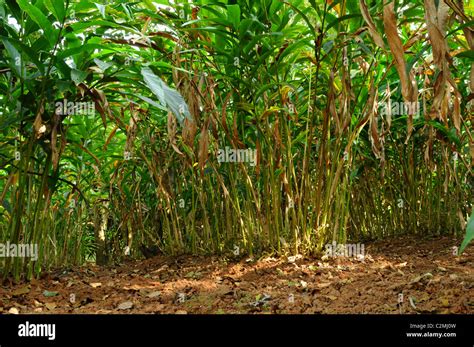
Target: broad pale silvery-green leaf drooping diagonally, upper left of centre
x,y
167,96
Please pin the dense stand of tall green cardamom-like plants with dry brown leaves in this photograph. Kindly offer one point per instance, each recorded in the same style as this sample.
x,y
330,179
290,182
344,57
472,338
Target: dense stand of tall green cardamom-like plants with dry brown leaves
x,y
271,126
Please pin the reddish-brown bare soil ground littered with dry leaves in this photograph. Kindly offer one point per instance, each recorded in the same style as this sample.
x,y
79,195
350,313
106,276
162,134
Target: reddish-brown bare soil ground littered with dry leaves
x,y
430,277
